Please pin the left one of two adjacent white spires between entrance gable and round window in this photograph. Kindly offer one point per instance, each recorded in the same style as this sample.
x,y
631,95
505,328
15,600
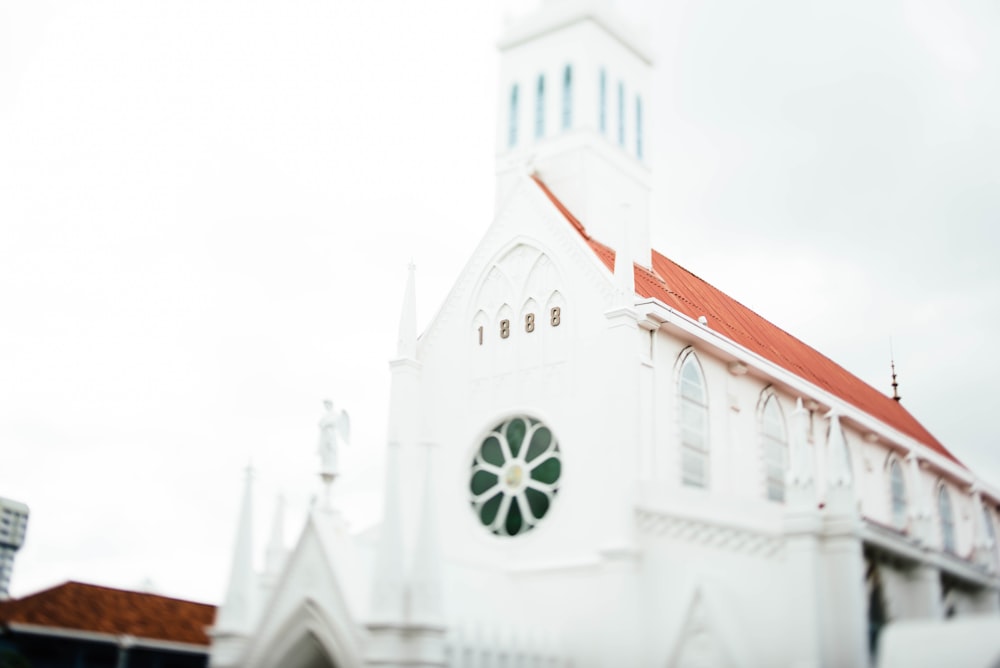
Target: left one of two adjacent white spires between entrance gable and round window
x,y
389,589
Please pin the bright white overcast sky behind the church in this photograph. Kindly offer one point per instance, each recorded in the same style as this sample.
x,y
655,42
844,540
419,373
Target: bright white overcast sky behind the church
x,y
207,208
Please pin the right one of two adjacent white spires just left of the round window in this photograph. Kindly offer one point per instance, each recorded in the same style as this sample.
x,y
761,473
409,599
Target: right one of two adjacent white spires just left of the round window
x,y
425,578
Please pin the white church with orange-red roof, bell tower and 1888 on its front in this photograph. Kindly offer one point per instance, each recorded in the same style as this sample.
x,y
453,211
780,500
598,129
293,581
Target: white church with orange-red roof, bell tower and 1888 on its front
x,y
595,458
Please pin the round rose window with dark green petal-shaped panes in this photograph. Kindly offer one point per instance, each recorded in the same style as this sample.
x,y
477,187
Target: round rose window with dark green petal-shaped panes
x,y
515,476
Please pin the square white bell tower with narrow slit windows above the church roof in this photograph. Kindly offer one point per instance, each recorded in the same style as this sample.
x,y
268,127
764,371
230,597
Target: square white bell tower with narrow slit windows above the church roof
x,y
575,91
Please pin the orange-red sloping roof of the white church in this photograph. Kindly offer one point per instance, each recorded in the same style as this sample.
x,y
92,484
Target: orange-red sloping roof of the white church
x,y
684,292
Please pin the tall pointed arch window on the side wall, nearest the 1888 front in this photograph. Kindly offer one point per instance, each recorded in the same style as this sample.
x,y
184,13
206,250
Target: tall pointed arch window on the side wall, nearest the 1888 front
x,y
694,422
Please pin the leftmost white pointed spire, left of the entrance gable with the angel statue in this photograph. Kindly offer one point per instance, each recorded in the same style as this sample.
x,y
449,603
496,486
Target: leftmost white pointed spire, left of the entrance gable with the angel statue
x,y
235,615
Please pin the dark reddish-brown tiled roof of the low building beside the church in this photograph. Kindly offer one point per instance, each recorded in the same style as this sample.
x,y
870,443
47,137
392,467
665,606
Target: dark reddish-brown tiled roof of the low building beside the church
x,y
84,607
